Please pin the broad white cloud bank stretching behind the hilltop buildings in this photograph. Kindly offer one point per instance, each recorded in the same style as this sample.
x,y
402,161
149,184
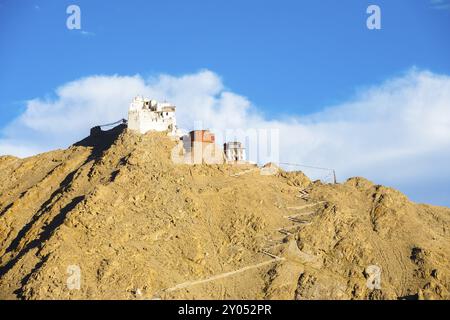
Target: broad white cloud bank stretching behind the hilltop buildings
x,y
396,133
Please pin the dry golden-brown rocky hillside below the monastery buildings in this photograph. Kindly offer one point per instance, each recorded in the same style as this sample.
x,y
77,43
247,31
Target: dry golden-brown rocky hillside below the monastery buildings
x,y
140,227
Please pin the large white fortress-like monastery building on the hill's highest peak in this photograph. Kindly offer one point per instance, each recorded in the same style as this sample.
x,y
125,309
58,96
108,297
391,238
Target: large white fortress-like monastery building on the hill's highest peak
x,y
145,115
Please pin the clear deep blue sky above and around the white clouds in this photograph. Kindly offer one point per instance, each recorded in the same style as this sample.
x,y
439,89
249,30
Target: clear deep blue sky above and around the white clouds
x,y
289,58
